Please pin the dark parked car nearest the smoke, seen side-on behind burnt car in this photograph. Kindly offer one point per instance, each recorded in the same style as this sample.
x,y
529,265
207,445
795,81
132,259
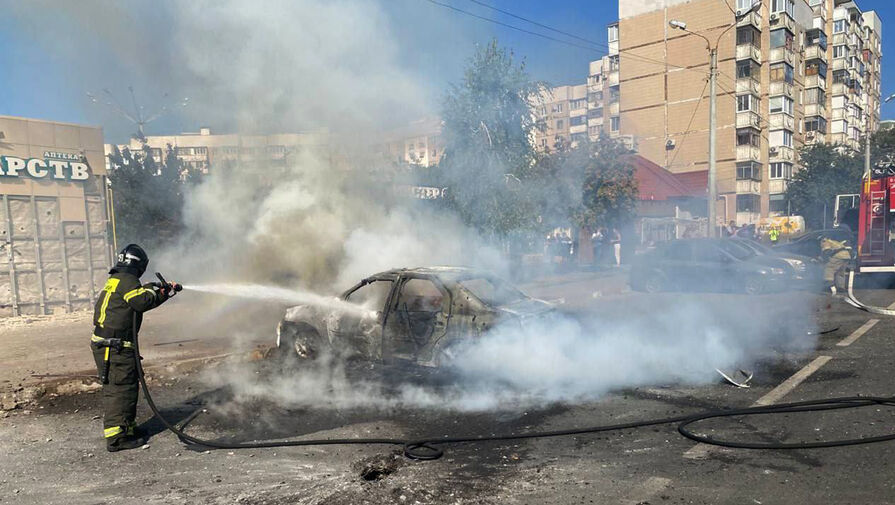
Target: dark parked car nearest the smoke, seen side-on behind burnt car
x,y
708,264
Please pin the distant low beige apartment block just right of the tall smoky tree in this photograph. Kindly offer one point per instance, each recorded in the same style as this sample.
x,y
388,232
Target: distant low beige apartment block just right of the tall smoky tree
x,y
563,113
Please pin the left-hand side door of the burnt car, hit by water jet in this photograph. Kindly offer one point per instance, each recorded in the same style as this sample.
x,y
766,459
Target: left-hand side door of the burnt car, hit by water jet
x,y
360,332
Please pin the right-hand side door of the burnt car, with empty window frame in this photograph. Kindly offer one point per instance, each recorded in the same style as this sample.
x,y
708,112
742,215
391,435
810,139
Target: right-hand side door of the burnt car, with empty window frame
x,y
417,318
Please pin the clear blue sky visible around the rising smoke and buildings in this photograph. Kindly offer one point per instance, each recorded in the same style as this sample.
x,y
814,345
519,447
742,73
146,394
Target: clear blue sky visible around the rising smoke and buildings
x,y
48,78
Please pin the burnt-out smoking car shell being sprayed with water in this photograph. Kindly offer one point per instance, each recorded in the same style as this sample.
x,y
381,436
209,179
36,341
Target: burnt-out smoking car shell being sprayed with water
x,y
417,315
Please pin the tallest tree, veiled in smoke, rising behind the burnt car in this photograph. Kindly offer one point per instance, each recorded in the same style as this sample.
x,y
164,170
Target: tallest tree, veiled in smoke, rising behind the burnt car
x,y
489,162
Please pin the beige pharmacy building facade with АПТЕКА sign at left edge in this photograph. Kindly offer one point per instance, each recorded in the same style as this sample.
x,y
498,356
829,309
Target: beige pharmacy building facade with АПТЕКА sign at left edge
x,y
54,231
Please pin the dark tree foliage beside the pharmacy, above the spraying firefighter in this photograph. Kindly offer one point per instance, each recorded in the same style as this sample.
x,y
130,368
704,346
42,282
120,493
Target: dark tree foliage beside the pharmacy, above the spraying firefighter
x,y
148,195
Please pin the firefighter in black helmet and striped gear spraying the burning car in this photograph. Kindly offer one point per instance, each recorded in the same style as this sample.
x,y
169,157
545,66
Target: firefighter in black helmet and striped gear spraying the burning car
x,y
122,299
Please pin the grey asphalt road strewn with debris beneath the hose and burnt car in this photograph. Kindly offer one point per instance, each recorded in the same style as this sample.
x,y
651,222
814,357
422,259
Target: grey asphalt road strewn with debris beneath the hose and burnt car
x,y
54,454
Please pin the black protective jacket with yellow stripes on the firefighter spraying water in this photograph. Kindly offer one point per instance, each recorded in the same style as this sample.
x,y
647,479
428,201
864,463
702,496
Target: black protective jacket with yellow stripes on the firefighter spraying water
x,y
122,298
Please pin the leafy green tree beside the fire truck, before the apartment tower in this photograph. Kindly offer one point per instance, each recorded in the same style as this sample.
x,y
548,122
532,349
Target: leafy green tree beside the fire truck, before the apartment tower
x,y
827,170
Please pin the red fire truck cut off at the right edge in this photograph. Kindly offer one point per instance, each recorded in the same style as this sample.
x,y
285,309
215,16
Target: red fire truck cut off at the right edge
x,y
876,221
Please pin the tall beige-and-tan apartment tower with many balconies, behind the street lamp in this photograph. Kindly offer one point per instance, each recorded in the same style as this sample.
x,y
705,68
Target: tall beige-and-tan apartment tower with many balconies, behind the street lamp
x,y
790,72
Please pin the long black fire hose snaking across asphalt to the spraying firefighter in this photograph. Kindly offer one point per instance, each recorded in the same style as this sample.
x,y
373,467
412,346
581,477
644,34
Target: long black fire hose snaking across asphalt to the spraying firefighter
x,y
430,448
